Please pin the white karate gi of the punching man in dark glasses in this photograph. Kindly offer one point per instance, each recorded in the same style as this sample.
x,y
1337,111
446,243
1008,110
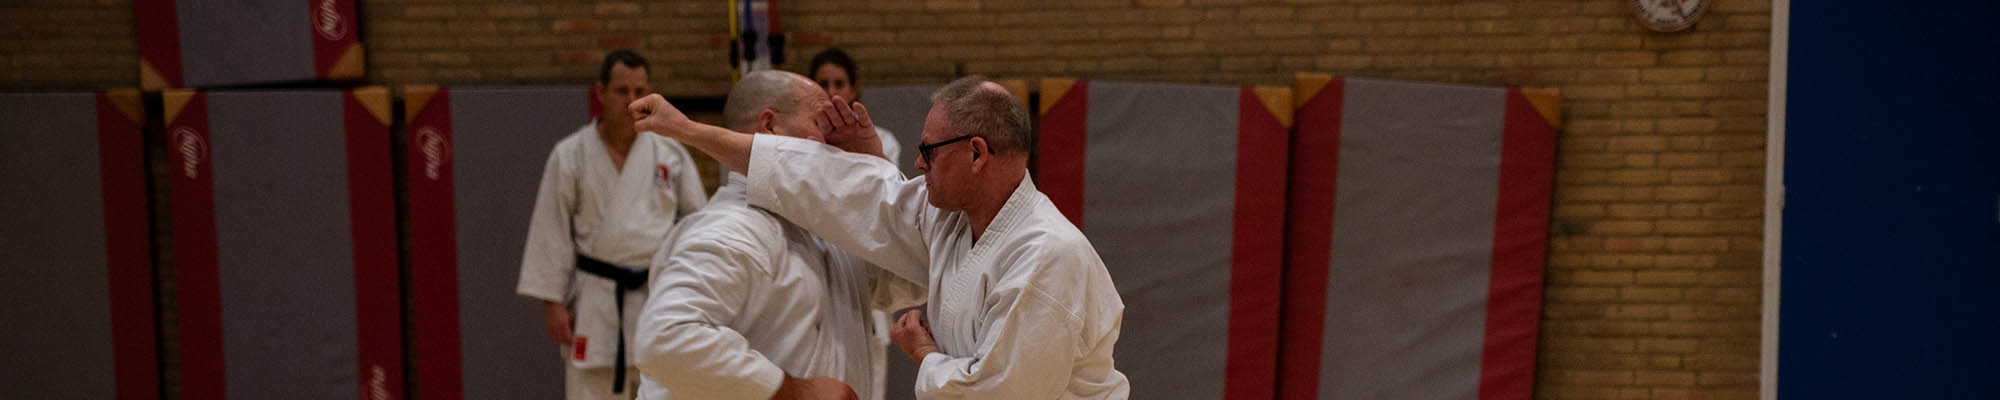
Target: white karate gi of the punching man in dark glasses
x,y
1025,313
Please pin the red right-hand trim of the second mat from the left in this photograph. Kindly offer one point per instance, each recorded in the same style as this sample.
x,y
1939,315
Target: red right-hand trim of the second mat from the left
x,y
373,219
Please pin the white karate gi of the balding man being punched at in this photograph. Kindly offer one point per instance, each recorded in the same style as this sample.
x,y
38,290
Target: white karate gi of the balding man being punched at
x,y
741,299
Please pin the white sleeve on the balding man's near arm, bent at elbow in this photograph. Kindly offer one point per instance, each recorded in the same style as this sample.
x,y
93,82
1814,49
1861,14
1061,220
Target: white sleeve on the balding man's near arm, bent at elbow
x,y
685,339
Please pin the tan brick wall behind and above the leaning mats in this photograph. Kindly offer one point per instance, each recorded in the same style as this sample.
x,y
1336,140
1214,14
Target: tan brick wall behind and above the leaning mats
x,y
1655,255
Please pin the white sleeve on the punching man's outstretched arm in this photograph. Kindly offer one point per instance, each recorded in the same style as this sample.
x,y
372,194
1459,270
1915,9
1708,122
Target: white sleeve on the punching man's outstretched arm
x,y
855,201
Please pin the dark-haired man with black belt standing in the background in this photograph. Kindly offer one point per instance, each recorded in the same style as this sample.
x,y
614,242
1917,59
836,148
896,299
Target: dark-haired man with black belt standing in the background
x,y
609,197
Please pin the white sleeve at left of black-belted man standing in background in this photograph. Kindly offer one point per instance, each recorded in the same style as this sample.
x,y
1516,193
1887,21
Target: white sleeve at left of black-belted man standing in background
x,y
549,259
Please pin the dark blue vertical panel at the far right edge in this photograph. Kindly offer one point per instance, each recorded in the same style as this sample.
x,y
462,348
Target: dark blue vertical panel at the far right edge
x,y
1891,241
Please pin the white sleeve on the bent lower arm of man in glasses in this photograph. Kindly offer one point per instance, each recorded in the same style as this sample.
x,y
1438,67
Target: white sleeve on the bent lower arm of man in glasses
x,y
1027,353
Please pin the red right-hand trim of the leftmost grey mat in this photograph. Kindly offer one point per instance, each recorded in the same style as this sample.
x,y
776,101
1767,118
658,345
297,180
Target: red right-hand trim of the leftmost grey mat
x,y
129,255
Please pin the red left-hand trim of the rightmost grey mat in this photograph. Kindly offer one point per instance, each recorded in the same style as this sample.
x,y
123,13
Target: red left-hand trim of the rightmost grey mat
x,y
1309,241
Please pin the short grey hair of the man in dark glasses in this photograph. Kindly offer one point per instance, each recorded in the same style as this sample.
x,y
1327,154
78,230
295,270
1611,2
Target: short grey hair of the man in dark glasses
x,y
995,115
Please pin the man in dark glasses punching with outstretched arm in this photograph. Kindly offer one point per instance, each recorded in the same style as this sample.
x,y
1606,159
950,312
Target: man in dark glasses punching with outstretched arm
x,y
1021,305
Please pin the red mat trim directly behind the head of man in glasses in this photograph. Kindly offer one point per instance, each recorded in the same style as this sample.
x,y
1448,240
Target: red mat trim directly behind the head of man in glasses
x,y
1061,169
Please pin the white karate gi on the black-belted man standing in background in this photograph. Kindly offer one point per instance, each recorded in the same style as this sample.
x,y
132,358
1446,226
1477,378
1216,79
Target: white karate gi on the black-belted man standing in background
x,y
619,217
